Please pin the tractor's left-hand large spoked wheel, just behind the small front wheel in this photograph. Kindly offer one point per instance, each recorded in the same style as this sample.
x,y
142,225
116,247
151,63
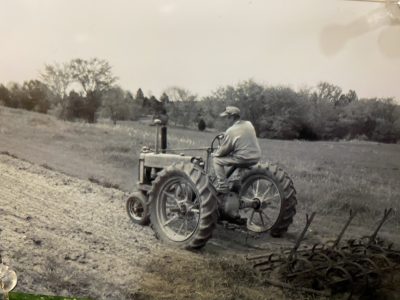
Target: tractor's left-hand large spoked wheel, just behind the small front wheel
x,y
183,206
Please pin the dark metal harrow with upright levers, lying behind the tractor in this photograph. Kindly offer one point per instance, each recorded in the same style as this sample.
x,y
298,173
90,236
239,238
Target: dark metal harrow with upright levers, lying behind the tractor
x,y
333,267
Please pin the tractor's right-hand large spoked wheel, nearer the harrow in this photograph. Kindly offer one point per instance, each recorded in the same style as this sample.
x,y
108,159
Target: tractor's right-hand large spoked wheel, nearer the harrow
x,y
273,196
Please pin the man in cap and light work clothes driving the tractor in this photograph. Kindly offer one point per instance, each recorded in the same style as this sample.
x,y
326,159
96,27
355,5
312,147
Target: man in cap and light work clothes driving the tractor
x,y
239,147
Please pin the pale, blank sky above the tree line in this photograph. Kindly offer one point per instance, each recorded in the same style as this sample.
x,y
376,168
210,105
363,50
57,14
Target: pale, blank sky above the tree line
x,y
201,45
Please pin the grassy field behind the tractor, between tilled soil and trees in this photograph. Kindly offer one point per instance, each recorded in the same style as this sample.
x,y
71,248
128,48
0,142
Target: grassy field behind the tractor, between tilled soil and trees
x,y
330,177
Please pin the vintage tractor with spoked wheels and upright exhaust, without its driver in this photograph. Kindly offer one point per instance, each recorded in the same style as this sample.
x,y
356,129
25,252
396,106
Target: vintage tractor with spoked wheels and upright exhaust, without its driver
x,y
176,195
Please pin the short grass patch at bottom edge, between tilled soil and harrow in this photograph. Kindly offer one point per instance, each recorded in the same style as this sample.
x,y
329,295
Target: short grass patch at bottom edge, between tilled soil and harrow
x,y
180,276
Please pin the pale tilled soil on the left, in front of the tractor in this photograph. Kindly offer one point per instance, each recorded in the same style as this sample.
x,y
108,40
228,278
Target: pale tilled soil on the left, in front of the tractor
x,y
60,233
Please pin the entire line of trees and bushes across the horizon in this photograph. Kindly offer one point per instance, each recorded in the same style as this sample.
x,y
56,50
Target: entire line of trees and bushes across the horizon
x,y
86,89
